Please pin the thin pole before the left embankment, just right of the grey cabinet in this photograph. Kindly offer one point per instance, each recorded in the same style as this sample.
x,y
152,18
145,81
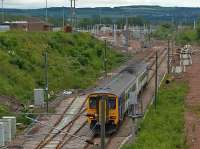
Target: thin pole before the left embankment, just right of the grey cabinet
x,y
46,80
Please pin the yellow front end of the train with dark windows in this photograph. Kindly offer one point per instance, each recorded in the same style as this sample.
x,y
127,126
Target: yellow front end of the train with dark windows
x,y
111,111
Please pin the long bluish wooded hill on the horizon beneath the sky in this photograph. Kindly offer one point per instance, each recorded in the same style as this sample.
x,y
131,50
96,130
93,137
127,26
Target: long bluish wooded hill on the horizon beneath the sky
x,y
151,13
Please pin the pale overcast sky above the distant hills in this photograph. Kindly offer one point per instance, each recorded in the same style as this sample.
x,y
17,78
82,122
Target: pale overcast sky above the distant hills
x,y
98,3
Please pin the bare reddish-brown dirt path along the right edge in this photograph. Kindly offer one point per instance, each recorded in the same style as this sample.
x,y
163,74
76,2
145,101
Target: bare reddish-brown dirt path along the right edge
x,y
192,114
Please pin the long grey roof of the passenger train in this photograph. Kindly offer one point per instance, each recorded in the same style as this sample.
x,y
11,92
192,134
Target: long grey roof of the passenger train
x,y
122,81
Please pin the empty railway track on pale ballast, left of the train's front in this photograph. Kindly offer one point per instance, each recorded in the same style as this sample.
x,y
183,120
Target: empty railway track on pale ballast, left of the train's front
x,y
66,126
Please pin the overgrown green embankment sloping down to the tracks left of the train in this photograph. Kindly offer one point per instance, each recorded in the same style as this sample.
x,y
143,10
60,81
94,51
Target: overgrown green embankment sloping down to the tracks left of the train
x,y
75,62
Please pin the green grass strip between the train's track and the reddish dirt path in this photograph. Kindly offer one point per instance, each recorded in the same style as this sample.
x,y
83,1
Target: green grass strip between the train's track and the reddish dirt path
x,y
164,129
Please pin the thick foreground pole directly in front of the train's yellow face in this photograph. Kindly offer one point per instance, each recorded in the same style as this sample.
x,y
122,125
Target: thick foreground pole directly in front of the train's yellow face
x,y
102,121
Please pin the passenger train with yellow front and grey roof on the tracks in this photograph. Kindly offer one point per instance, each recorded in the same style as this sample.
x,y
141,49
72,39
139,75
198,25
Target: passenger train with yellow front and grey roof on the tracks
x,y
120,93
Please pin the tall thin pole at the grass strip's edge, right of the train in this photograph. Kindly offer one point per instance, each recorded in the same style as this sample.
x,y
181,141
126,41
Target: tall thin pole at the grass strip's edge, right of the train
x,y
156,81
